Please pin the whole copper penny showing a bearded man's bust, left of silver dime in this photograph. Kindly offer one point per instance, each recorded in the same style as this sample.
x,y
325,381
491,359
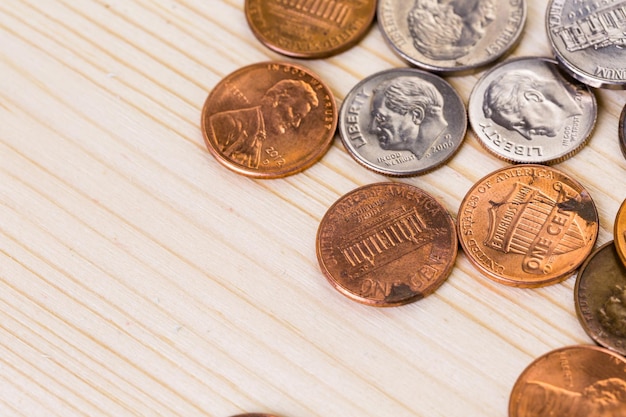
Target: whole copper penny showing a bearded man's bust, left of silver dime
x,y
269,120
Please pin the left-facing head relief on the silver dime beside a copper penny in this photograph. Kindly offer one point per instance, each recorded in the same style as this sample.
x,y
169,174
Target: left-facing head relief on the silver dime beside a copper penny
x,y
407,114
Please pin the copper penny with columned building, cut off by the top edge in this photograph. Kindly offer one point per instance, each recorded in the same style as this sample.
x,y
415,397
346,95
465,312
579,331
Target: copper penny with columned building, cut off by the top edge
x,y
309,28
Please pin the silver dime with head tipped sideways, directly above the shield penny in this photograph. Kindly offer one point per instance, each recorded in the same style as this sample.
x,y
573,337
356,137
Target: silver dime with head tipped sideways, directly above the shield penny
x,y
526,111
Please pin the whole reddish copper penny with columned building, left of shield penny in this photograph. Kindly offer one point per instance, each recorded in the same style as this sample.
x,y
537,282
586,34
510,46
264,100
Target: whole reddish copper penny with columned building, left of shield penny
x,y
386,244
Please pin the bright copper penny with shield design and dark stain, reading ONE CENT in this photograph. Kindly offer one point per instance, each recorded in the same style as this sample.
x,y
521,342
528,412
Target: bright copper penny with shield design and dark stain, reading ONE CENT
x,y
527,225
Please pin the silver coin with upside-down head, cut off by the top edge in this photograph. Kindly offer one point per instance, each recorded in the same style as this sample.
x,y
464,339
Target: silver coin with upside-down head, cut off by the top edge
x,y
451,35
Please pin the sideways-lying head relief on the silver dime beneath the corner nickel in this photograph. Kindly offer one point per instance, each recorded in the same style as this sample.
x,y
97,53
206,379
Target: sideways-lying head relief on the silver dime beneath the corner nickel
x,y
529,103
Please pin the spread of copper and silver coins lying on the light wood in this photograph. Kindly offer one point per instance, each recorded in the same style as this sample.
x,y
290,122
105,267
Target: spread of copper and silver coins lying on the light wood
x,y
526,225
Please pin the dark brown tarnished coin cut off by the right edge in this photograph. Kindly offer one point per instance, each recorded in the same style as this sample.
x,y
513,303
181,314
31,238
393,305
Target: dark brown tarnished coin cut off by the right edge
x,y
600,298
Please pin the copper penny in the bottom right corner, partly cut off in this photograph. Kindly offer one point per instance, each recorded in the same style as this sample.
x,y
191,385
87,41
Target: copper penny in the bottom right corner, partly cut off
x,y
574,381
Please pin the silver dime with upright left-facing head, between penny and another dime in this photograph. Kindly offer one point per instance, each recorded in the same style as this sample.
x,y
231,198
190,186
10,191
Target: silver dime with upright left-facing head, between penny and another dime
x,y
402,122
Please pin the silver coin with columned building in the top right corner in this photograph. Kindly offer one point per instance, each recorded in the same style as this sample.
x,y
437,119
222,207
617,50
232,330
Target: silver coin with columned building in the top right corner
x,y
588,38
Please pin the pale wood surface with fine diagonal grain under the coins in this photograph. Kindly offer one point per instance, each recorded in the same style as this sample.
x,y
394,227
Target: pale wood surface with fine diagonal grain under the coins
x,y
141,277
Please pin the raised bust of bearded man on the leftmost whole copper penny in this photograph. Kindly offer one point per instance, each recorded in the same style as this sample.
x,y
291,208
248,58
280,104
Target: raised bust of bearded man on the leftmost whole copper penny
x,y
240,133
